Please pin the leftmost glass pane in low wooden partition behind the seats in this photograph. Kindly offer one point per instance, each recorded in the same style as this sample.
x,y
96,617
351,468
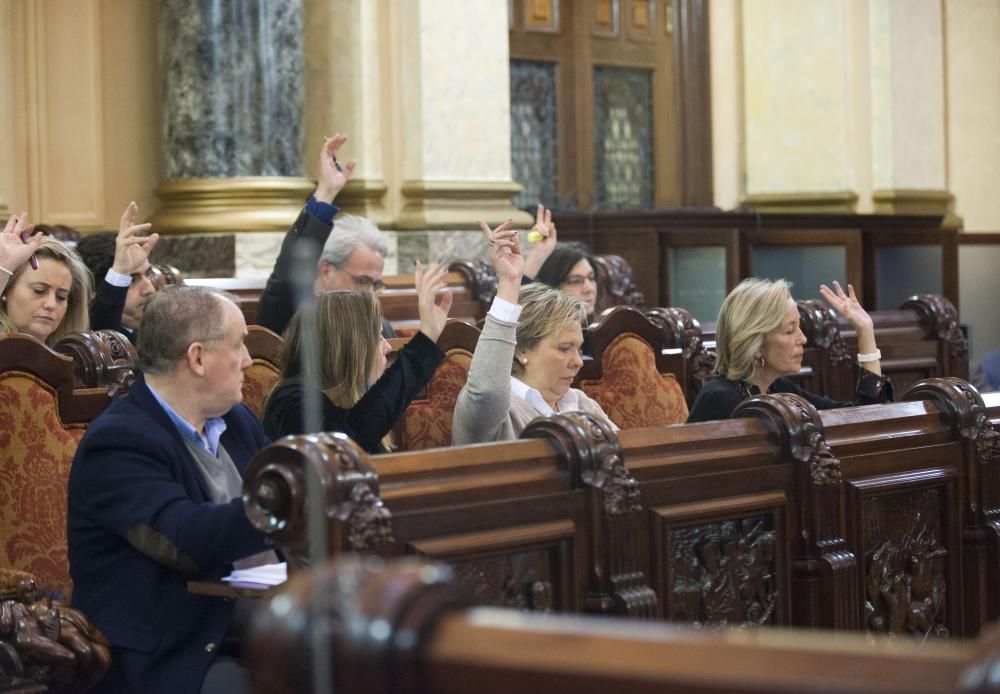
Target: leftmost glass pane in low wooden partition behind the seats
x,y
698,280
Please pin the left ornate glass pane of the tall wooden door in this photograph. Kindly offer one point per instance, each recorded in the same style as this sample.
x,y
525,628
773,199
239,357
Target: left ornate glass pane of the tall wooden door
x,y
533,132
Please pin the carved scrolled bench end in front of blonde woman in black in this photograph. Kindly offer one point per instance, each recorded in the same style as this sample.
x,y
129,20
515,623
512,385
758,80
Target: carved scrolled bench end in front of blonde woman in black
x,y
822,550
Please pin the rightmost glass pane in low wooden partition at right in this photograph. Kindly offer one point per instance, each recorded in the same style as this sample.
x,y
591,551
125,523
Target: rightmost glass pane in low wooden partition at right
x,y
902,271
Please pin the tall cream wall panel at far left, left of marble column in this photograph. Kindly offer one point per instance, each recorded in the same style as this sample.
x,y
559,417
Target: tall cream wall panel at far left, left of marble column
x,y
65,112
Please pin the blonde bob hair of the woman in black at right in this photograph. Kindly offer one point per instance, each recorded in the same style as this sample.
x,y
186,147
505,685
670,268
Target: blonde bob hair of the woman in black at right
x,y
752,310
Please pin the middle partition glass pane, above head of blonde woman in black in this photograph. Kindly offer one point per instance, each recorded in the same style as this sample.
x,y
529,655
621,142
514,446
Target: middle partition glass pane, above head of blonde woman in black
x,y
806,267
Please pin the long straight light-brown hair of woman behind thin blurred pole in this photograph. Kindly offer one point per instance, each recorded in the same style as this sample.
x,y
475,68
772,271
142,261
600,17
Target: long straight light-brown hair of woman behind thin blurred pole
x,y
348,329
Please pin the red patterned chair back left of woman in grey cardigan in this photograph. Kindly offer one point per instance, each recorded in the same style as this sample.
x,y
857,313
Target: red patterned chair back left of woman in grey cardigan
x,y
427,423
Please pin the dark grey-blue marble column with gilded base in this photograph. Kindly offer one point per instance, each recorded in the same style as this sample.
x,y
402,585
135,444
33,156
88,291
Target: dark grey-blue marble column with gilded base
x,y
233,84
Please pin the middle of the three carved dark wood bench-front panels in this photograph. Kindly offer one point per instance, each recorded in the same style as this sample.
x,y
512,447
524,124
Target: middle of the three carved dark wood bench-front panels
x,y
722,563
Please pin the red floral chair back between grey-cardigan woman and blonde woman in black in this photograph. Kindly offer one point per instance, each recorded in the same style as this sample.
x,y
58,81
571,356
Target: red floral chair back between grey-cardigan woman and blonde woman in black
x,y
631,390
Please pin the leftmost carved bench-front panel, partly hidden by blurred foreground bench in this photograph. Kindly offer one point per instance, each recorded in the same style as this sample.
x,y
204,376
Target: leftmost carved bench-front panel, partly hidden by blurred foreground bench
x,y
528,568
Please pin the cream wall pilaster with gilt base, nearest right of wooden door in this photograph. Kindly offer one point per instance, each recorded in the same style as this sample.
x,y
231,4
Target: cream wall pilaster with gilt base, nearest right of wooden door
x,y
797,98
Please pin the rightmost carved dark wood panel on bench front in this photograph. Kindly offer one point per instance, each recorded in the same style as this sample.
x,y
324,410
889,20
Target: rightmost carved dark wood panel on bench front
x,y
907,537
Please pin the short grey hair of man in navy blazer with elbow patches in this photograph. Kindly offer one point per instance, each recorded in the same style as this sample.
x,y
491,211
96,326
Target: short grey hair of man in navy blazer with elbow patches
x,y
176,317
